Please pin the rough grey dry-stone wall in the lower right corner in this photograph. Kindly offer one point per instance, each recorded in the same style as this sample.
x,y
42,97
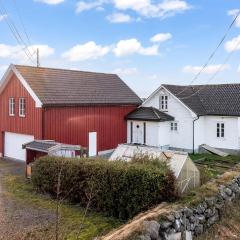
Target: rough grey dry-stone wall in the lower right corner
x,y
189,222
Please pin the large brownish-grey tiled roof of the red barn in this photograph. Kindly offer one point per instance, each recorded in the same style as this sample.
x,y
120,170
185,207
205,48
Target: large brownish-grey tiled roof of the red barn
x,y
69,87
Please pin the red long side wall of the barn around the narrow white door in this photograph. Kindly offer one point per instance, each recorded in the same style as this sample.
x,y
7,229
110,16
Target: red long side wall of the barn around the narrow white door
x,y
71,125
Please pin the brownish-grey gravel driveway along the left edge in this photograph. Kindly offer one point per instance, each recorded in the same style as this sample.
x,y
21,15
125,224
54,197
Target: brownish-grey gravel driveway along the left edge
x,y
17,220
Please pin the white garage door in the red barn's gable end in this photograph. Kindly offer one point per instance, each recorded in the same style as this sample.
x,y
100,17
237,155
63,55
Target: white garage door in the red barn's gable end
x,y
13,145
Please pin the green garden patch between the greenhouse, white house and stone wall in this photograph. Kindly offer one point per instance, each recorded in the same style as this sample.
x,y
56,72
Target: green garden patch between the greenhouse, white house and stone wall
x,y
211,165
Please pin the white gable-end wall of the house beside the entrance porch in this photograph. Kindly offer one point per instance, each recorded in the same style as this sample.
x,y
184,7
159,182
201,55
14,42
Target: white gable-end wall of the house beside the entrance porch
x,y
183,138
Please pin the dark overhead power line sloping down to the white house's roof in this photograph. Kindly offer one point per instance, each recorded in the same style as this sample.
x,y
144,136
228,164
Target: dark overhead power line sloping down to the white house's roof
x,y
213,53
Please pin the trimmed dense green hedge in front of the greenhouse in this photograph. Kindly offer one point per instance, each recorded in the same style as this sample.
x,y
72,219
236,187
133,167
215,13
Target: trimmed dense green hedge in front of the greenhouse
x,y
118,189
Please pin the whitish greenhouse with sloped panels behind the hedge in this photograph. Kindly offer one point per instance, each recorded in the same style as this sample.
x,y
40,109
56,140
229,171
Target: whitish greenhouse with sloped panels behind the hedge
x,y
184,169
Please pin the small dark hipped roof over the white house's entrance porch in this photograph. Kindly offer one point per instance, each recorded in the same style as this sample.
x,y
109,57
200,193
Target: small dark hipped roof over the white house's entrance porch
x,y
149,114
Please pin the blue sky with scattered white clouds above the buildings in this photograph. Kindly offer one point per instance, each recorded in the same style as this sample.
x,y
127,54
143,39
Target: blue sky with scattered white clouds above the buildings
x,y
146,42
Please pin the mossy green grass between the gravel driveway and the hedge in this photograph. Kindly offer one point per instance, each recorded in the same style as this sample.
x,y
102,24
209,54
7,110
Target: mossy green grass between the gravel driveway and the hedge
x,y
19,189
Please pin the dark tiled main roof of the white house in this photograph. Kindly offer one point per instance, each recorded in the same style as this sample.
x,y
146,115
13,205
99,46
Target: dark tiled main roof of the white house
x,y
222,99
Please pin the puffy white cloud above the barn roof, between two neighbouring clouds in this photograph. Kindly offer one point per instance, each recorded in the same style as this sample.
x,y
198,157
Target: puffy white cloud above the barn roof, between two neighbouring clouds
x,y
89,50
